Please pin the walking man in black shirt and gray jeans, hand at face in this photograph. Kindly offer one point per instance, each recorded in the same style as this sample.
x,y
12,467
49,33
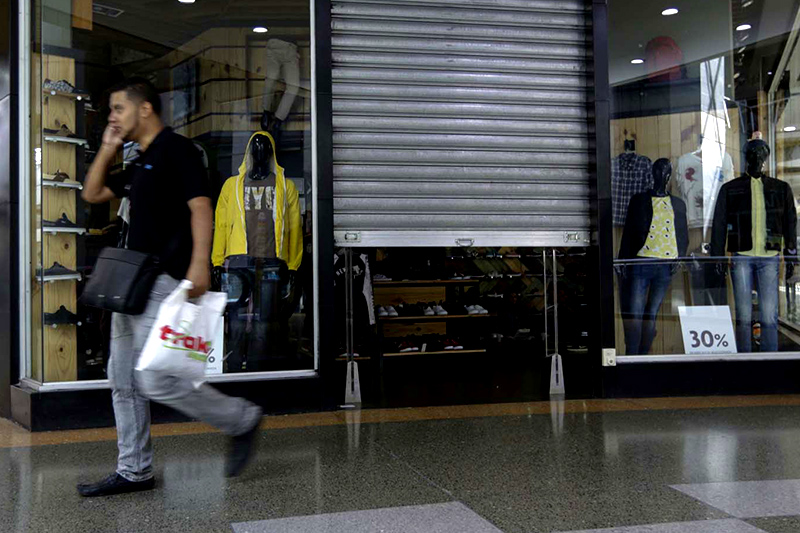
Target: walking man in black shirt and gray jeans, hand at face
x,y
170,218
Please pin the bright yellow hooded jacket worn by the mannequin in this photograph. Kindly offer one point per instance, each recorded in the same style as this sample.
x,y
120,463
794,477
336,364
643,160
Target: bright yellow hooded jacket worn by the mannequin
x,y
230,231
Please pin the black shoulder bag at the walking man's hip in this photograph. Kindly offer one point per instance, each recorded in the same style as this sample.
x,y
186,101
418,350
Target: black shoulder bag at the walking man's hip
x,y
121,281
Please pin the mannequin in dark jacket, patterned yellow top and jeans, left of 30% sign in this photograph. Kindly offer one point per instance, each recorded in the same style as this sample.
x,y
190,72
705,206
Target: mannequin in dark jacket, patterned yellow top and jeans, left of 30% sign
x,y
656,234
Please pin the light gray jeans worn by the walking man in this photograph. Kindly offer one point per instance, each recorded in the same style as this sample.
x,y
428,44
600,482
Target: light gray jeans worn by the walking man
x,y
132,391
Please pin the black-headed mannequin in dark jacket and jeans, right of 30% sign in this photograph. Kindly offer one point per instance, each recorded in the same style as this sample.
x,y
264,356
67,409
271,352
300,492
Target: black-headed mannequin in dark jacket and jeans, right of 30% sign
x,y
754,218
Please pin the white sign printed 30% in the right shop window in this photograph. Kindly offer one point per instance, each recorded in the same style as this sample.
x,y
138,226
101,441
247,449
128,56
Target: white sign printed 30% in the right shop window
x,y
707,329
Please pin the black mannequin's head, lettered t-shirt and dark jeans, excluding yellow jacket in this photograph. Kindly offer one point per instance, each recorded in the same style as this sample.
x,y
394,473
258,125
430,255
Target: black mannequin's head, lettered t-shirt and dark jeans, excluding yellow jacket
x,y
257,280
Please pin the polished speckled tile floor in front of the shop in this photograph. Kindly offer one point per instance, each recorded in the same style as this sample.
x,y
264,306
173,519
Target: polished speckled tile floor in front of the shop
x,y
694,465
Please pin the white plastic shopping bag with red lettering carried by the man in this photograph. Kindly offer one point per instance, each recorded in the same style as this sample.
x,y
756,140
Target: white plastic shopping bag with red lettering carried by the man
x,y
183,334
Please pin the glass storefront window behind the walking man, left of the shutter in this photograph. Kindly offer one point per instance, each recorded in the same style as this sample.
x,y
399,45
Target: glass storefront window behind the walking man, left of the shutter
x,y
229,79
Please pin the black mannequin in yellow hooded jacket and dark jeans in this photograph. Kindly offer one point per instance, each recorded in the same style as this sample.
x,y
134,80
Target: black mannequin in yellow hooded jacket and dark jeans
x,y
258,237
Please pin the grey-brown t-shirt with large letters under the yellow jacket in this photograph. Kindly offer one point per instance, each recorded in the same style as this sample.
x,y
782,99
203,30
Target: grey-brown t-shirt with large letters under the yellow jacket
x,y
259,205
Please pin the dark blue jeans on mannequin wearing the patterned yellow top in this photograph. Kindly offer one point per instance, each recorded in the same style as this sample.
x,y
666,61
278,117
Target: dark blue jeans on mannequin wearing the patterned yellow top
x,y
642,292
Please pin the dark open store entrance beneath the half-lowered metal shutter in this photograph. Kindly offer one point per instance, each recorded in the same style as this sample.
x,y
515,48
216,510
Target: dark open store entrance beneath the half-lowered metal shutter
x,y
443,326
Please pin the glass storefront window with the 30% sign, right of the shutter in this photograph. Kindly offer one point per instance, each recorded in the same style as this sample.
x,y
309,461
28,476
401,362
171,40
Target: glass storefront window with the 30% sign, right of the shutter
x,y
704,132
